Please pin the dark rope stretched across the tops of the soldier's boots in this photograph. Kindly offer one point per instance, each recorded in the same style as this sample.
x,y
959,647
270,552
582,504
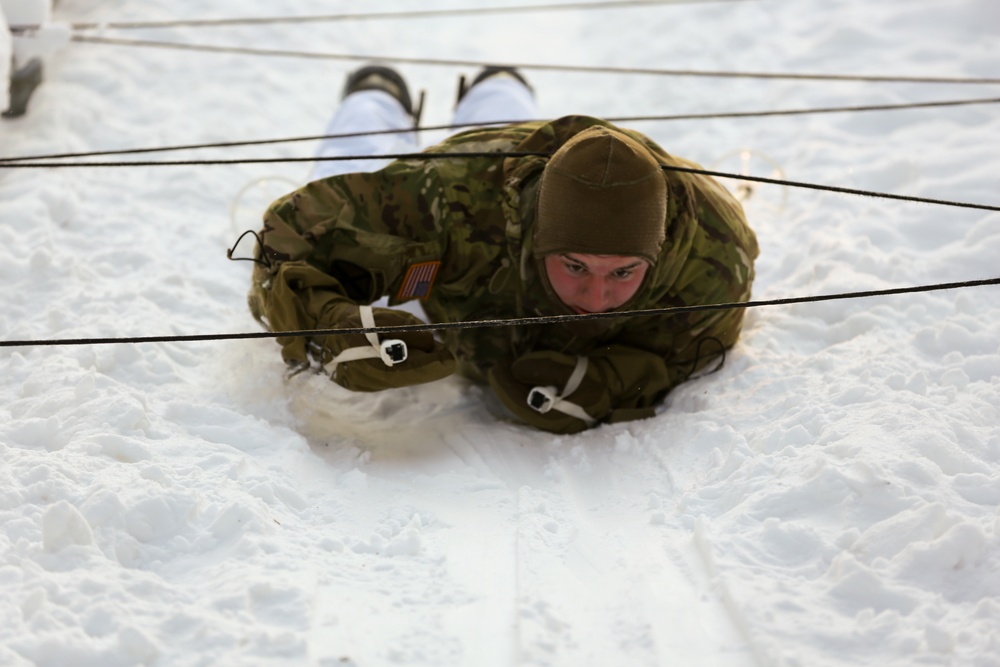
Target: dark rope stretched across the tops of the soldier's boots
x,y
534,66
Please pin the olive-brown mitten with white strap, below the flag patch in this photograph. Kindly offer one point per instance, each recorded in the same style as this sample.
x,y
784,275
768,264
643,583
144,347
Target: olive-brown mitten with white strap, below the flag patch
x,y
419,359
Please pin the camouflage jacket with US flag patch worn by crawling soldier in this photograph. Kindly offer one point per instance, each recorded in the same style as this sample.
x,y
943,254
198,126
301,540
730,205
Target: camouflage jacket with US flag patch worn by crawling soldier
x,y
457,232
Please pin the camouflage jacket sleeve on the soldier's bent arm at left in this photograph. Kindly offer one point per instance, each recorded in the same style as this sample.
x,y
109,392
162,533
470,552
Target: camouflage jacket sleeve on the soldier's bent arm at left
x,y
347,238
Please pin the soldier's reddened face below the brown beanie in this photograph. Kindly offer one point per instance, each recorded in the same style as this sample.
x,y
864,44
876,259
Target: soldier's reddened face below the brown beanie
x,y
595,283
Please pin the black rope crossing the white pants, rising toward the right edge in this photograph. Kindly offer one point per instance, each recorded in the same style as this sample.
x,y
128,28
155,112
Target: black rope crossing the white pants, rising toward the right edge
x,y
453,126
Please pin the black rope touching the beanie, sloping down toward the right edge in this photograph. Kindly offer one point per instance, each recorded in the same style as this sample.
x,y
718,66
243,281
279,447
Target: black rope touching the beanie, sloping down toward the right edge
x,y
498,155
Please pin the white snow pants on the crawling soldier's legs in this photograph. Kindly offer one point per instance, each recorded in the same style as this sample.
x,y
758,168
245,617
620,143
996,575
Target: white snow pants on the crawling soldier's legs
x,y
495,99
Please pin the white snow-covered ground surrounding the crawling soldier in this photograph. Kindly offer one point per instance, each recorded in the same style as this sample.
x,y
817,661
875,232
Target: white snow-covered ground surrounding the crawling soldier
x,y
829,498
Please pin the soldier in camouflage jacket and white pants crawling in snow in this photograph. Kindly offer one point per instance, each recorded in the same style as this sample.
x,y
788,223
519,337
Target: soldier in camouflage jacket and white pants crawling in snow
x,y
597,226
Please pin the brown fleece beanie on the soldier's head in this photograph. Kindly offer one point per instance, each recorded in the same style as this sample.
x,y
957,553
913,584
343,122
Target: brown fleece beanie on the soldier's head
x,y
602,193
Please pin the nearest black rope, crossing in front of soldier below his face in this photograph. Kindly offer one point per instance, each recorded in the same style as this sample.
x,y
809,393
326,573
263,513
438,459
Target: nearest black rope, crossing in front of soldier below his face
x,y
520,321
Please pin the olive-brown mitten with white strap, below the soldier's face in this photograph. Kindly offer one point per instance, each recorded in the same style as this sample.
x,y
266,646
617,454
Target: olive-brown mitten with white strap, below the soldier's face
x,y
553,391
